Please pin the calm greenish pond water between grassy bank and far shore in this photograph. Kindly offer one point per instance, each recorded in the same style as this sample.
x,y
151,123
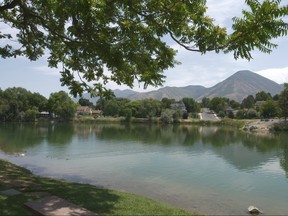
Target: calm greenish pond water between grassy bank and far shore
x,y
211,170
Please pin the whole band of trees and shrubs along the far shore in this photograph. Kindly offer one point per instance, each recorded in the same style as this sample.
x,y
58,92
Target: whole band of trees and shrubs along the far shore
x,y
21,105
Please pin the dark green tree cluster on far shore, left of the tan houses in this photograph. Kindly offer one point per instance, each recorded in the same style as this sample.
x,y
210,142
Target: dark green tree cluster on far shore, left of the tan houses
x,y
19,104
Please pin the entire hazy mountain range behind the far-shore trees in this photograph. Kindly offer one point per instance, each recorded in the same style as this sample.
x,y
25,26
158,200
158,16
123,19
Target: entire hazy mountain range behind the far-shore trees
x,y
236,87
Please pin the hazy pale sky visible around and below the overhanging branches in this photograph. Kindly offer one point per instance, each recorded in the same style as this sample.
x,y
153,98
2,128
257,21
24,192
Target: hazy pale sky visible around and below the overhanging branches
x,y
195,69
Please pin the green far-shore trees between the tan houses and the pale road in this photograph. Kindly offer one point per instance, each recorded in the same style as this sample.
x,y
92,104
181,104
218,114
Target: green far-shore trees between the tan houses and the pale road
x,y
168,110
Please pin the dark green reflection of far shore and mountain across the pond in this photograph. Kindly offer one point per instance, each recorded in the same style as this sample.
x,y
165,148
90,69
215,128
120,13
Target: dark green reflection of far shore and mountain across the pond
x,y
242,150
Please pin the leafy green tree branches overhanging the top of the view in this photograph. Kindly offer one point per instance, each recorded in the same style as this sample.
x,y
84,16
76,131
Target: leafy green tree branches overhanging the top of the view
x,y
127,37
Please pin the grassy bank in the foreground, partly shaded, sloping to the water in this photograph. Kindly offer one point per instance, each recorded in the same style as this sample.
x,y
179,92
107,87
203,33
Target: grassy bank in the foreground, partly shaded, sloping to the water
x,y
99,200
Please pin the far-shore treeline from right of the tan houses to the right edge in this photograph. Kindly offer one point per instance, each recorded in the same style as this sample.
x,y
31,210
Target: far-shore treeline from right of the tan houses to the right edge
x,y
261,105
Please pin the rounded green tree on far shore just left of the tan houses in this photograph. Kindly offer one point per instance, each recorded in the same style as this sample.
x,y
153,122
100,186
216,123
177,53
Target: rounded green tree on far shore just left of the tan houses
x,y
61,105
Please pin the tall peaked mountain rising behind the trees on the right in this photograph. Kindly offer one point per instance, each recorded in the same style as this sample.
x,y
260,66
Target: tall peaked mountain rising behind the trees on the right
x,y
241,84
